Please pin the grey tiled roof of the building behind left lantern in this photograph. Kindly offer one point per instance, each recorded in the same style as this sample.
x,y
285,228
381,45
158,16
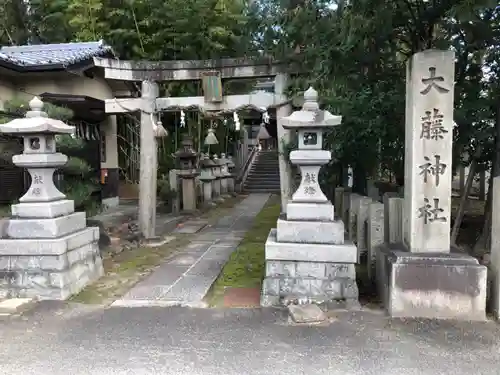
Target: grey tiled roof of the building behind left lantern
x,y
52,56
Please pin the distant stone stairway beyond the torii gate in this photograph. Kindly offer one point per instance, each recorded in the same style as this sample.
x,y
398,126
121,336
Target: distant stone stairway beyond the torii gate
x,y
264,176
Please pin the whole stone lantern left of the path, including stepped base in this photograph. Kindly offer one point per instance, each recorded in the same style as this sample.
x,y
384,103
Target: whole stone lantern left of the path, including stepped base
x,y
47,251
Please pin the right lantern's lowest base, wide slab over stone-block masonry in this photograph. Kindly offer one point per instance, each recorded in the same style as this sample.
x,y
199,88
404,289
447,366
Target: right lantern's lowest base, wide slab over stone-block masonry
x,y
308,273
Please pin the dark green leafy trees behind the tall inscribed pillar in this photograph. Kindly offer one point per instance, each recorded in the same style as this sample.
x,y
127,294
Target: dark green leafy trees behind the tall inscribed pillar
x,y
355,55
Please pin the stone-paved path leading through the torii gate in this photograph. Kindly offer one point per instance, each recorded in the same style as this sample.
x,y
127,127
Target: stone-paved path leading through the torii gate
x,y
186,278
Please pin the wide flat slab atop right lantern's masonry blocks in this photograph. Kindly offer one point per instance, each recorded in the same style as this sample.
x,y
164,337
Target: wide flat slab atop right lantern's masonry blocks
x,y
289,251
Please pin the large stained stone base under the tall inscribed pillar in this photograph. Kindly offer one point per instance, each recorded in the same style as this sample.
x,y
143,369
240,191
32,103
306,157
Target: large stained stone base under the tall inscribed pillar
x,y
428,285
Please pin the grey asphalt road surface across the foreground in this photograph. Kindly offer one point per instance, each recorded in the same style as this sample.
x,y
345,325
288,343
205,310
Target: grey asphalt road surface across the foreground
x,y
60,340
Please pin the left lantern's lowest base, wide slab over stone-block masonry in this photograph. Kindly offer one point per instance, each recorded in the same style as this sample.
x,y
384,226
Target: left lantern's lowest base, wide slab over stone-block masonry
x,y
50,268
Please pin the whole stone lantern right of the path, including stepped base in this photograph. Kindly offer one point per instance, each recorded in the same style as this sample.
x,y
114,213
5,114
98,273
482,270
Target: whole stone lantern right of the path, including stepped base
x,y
307,258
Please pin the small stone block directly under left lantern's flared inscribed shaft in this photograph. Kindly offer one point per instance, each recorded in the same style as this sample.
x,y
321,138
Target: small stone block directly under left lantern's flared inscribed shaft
x,y
43,209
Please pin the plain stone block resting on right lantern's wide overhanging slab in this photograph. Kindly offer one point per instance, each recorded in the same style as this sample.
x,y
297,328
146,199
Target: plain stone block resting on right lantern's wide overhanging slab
x,y
310,232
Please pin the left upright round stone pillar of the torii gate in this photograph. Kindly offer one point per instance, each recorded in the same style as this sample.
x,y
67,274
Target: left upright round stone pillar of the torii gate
x,y
148,161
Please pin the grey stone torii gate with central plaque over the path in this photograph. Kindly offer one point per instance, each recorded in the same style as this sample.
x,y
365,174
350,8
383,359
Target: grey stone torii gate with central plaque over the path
x,y
211,72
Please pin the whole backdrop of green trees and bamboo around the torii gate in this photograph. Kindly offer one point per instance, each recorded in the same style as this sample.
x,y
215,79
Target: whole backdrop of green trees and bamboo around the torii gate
x,y
353,52
